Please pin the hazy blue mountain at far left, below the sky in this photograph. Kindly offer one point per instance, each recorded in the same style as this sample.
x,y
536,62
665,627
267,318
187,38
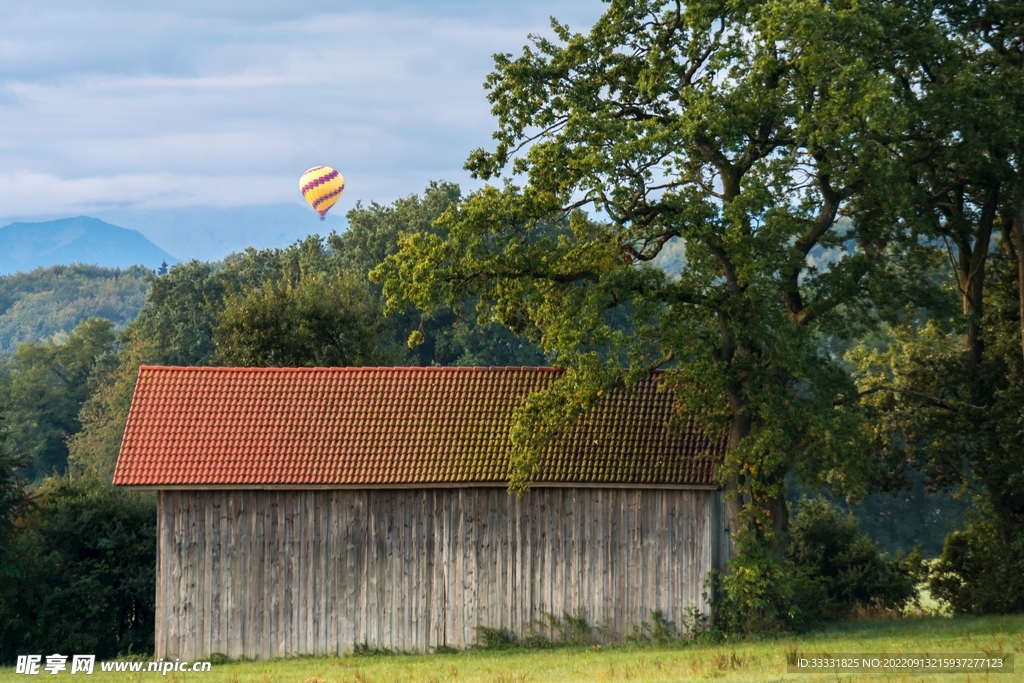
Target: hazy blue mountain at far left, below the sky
x,y
25,247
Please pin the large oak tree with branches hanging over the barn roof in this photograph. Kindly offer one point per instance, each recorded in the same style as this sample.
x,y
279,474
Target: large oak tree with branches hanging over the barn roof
x,y
758,136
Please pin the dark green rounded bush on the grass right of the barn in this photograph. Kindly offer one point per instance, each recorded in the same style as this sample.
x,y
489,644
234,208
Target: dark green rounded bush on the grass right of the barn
x,y
836,569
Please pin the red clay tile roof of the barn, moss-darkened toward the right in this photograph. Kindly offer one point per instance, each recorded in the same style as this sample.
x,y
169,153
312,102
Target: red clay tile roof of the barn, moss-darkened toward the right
x,y
388,426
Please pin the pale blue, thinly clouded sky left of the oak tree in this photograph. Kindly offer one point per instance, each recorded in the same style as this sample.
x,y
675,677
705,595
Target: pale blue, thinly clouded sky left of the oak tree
x,y
135,107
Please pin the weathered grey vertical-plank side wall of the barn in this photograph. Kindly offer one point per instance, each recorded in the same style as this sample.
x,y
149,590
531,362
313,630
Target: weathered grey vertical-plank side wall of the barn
x,y
267,574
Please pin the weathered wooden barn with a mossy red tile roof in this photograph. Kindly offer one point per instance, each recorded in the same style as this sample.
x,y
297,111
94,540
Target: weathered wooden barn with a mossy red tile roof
x,y
312,510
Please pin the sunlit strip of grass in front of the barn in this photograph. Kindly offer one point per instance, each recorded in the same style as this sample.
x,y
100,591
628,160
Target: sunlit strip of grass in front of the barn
x,y
761,661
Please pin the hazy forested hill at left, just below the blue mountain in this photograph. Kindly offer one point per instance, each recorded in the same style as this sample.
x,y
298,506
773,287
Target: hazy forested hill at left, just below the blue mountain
x,y
46,303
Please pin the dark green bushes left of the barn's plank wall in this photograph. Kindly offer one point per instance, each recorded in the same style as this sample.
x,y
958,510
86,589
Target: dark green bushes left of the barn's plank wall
x,y
81,573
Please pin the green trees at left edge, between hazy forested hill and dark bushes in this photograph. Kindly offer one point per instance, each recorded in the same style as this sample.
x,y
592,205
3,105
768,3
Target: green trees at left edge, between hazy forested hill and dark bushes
x,y
47,386
